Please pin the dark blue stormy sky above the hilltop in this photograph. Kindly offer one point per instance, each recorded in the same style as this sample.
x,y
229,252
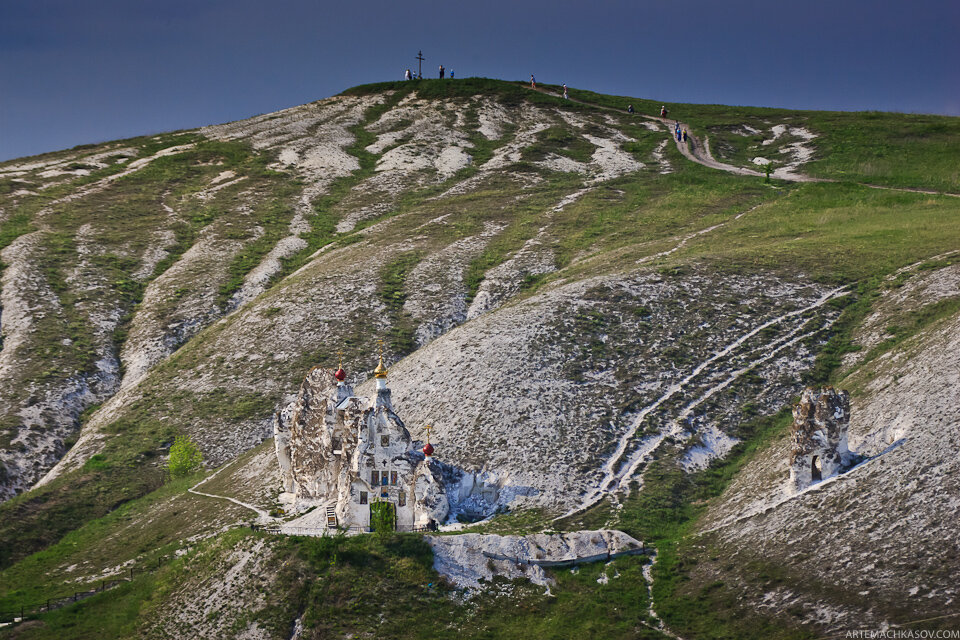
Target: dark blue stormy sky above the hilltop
x,y
76,72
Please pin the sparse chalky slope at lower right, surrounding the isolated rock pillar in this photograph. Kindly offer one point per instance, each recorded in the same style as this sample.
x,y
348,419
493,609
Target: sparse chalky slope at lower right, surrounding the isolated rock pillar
x,y
874,542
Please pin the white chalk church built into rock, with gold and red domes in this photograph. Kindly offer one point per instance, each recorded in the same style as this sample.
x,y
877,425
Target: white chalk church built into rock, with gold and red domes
x,y
353,457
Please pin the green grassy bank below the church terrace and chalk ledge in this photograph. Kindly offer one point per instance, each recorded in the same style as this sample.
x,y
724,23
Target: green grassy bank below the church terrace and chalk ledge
x,y
368,587
